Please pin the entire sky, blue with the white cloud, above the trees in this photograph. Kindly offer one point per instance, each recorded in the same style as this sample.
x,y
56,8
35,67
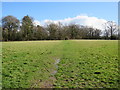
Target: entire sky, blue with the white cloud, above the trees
x,y
93,14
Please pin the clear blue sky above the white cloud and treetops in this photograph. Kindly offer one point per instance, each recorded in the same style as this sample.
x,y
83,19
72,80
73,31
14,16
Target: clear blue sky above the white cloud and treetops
x,y
61,10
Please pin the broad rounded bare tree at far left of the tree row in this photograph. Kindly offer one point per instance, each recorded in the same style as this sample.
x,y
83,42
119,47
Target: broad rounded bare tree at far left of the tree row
x,y
10,25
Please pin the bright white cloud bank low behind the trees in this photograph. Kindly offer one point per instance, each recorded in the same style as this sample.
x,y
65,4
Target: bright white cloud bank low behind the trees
x,y
80,19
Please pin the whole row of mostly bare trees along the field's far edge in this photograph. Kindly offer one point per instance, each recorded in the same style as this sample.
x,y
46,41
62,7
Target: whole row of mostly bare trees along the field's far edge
x,y
14,30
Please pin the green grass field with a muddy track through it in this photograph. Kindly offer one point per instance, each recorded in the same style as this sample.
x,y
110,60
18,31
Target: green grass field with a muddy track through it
x,y
60,64
